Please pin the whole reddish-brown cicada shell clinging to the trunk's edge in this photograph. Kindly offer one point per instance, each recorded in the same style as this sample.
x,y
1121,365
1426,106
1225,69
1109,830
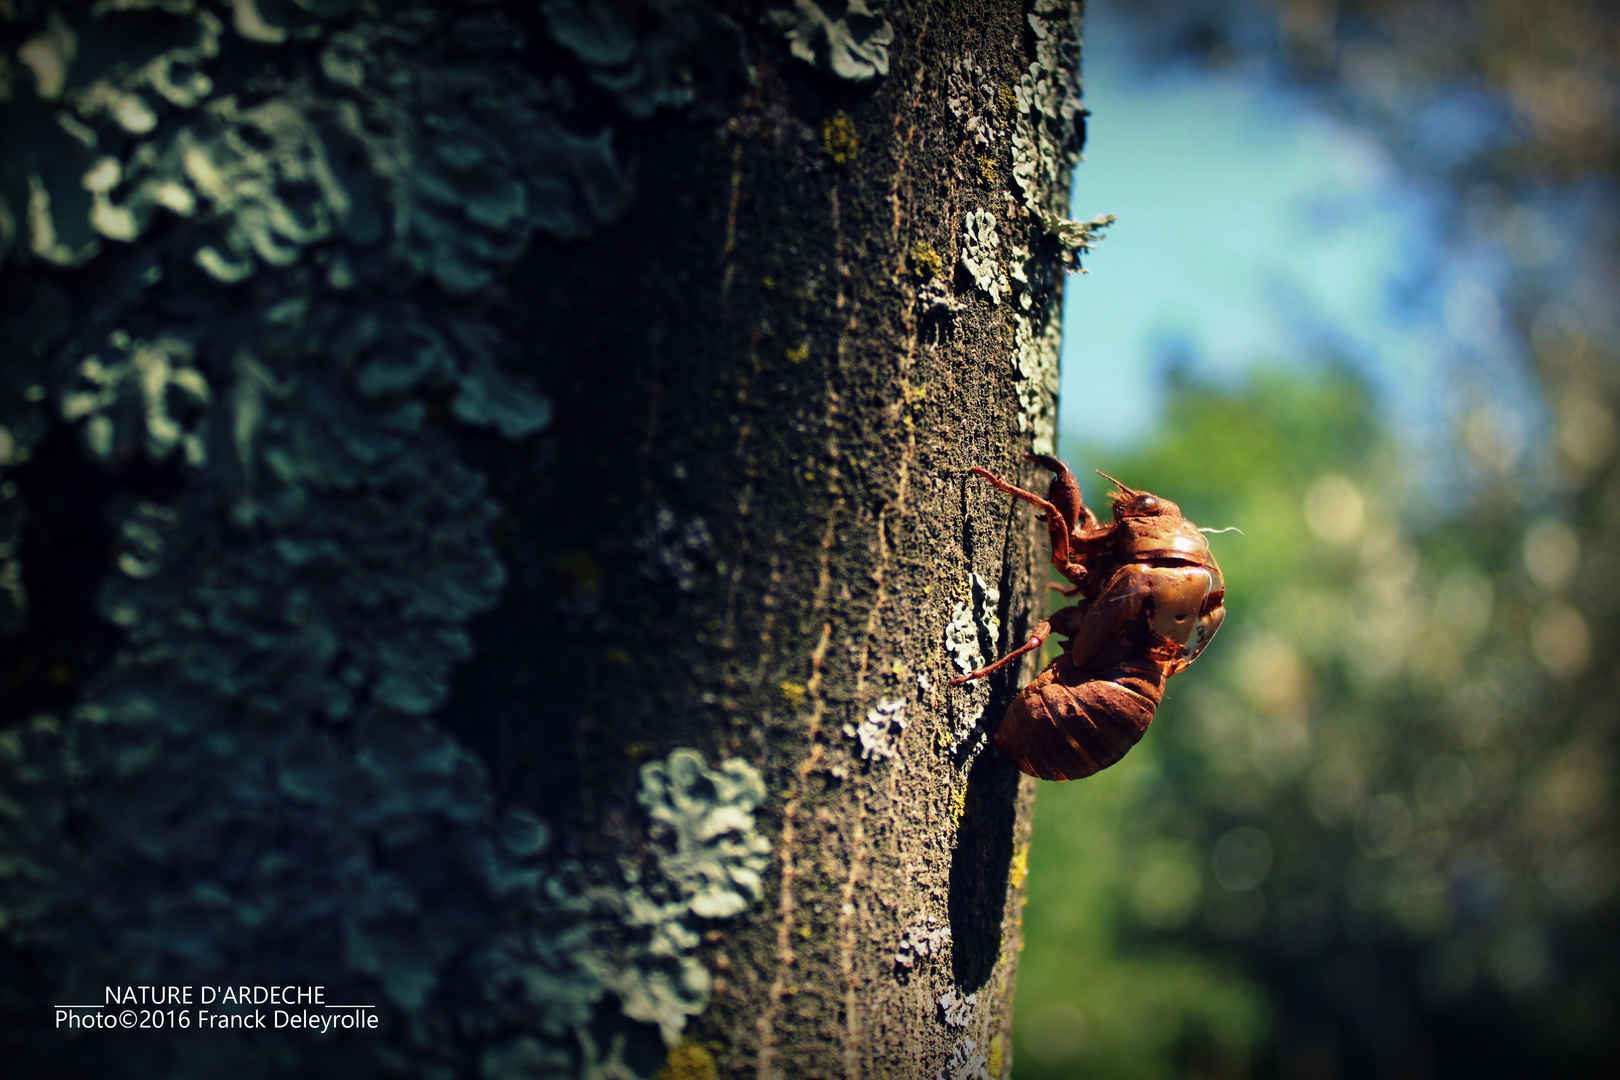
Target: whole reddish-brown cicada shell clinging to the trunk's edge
x,y
1151,600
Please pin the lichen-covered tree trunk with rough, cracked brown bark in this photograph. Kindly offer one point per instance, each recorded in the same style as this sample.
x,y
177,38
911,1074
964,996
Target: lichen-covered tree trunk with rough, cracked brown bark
x,y
487,530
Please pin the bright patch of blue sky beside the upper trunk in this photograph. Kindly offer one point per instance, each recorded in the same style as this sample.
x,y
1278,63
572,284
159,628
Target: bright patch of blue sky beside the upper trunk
x,y
1255,229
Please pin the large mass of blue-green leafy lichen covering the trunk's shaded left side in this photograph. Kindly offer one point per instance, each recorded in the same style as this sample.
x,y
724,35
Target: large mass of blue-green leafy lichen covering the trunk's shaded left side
x,y
257,762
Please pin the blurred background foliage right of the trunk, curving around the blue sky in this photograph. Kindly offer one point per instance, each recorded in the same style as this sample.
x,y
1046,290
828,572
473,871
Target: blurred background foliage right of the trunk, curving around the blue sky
x,y
1373,833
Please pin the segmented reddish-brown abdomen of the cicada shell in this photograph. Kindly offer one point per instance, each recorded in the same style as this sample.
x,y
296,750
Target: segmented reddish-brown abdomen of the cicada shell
x,y
1073,723
